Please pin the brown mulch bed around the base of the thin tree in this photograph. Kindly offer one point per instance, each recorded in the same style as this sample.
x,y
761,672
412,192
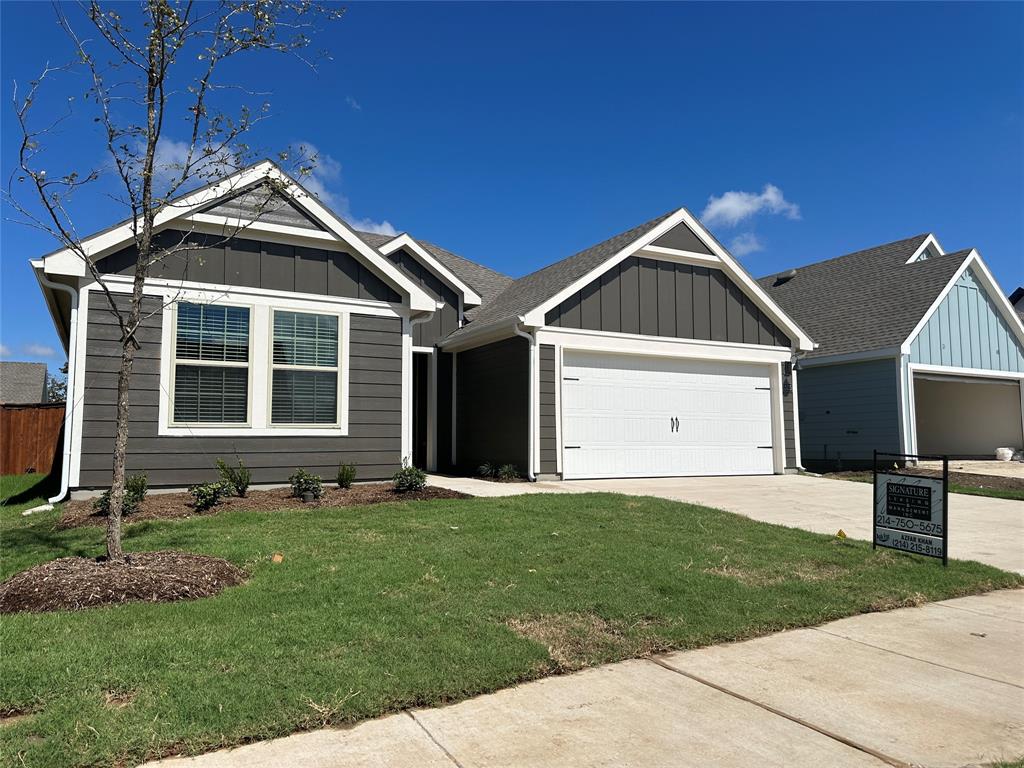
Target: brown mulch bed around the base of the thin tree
x,y
76,583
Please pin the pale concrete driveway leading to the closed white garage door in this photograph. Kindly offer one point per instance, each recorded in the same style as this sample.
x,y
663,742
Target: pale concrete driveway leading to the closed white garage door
x,y
991,531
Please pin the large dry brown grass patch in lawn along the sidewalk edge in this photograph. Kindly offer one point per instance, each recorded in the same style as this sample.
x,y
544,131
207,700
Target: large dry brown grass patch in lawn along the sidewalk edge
x,y
578,641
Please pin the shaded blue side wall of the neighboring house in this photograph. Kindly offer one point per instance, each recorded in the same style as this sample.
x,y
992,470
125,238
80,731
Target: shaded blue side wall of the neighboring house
x,y
847,411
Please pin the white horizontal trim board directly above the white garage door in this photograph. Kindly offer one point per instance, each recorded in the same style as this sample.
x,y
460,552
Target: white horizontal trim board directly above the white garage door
x,y
607,342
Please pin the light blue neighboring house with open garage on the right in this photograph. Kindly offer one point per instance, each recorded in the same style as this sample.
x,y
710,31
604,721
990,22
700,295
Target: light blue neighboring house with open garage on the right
x,y
919,352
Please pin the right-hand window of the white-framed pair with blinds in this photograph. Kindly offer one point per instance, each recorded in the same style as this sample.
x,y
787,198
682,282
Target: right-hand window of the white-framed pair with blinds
x,y
305,364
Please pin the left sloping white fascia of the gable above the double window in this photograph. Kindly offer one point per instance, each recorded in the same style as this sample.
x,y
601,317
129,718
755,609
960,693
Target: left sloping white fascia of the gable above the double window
x,y
67,262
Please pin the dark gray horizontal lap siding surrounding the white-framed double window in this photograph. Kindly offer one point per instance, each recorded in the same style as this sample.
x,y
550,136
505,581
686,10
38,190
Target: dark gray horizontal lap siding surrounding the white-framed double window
x,y
373,444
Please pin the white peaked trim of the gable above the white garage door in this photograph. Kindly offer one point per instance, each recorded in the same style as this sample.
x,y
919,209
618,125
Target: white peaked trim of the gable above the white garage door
x,y
724,261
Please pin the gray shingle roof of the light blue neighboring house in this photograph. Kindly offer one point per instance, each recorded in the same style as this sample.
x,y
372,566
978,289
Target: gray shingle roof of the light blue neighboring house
x,y
867,301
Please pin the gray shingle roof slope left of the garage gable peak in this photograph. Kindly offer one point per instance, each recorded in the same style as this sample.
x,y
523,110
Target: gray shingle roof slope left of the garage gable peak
x,y
530,292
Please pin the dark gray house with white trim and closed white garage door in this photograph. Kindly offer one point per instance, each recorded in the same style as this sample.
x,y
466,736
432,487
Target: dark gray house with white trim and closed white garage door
x,y
275,332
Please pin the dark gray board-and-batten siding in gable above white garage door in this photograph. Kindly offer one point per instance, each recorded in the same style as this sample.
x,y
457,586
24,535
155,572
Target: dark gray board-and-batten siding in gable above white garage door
x,y
663,298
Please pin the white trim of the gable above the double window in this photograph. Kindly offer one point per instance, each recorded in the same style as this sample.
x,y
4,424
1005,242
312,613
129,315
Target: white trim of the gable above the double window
x,y
69,263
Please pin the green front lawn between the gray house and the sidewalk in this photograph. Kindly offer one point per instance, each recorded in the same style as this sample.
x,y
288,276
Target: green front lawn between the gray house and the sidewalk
x,y
378,609
